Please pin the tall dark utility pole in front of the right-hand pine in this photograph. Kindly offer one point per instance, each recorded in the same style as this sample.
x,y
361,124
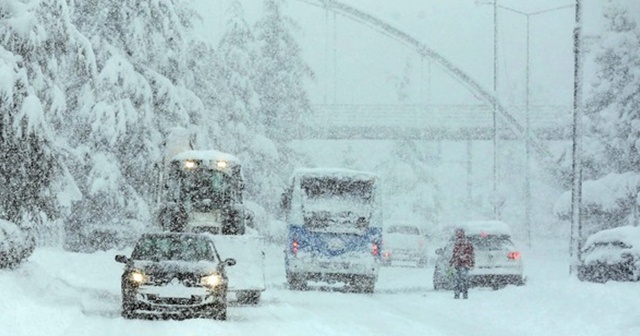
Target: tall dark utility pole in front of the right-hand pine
x,y
576,190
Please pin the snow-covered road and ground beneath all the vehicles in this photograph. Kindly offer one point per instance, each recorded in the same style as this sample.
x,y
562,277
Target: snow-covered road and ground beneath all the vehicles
x,y
60,293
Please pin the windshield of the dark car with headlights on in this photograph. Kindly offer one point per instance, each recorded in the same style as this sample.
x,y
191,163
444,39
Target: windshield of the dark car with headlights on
x,y
173,248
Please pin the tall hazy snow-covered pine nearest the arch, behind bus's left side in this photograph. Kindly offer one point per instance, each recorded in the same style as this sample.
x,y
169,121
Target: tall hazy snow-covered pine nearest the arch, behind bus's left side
x,y
284,103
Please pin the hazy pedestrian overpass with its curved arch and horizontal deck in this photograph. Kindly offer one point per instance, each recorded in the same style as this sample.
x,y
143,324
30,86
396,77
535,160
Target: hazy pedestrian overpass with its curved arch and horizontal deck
x,y
487,119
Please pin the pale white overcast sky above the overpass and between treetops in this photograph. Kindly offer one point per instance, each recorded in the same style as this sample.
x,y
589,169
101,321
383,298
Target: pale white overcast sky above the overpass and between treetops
x,y
368,64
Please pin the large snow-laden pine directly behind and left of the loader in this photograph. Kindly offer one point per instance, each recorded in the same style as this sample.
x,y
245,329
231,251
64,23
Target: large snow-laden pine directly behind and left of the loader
x,y
140,93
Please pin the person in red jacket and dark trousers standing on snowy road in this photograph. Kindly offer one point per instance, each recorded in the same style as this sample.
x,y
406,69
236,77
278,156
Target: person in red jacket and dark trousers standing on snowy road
x,y
462,260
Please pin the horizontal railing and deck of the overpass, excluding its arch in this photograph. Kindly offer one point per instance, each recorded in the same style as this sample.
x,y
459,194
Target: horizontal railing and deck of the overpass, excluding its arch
x,y
433,121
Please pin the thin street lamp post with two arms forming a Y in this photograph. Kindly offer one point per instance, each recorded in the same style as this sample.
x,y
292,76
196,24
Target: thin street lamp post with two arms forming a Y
x,y
527,112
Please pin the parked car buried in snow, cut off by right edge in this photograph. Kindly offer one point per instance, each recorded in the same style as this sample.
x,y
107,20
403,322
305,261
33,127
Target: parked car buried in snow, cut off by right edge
x,y
612,254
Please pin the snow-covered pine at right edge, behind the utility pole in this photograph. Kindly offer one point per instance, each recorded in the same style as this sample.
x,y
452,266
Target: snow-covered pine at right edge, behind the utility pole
x,y
612,133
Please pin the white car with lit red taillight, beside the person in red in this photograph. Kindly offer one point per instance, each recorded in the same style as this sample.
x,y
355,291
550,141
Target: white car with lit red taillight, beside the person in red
x,y
498,262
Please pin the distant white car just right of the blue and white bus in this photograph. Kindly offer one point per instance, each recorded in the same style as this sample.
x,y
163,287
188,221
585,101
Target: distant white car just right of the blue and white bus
x,y
404,242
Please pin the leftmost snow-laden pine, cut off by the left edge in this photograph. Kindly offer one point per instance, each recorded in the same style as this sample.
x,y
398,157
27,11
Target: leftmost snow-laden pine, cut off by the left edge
x,y
45,58
